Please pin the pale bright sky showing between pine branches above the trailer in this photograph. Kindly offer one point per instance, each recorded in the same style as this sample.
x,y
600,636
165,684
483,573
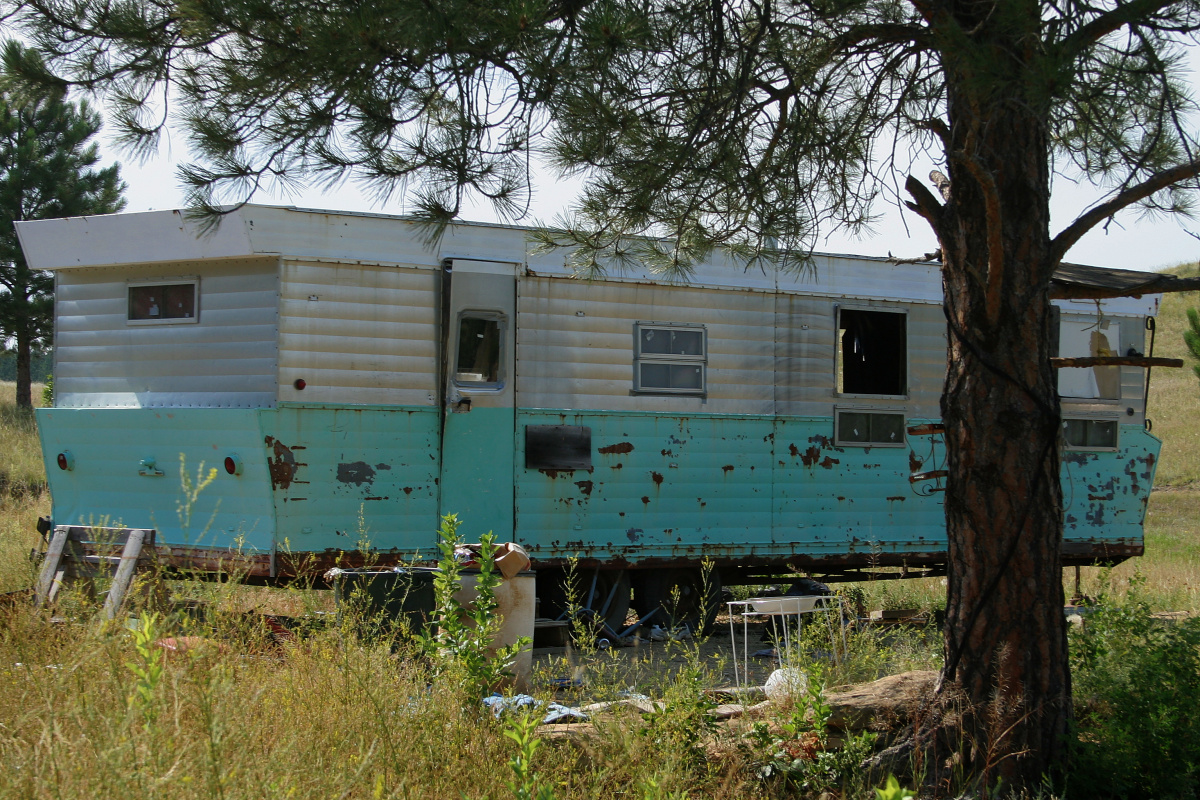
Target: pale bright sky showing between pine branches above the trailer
x,y
1131,242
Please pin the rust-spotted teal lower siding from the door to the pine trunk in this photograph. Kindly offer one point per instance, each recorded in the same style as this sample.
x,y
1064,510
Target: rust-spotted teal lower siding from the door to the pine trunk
x,y
735,488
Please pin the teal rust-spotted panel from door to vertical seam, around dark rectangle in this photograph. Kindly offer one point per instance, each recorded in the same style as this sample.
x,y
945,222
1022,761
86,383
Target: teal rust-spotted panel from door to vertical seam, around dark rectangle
x,y
661,488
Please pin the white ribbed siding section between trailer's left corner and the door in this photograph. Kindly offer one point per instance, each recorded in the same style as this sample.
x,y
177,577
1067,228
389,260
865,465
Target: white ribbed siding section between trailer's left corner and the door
x,y
370,338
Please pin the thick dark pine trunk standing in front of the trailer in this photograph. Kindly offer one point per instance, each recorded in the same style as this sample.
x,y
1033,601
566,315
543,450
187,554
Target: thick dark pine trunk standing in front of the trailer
x,y
1006,636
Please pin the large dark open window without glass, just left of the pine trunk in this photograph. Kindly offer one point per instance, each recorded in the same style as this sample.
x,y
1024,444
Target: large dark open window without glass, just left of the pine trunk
x,y
873,353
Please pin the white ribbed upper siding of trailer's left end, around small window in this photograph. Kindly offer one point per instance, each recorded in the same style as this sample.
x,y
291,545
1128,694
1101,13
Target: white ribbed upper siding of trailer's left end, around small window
x,y
227,359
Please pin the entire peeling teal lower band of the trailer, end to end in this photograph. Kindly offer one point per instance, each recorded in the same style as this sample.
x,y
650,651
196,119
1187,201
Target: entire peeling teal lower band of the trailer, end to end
x,y
322,478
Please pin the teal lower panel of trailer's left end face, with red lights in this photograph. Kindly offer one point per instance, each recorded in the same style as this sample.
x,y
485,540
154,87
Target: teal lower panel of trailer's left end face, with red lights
x,y
106,490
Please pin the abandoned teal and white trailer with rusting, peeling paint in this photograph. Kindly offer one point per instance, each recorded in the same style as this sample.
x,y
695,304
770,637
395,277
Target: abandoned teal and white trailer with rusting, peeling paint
x,y
352,384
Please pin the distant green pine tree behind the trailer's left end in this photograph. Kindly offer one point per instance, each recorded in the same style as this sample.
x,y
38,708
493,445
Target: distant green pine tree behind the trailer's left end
x,y
47,157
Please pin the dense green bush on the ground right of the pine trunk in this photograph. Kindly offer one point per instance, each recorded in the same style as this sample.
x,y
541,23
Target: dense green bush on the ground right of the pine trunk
x,y
1137,693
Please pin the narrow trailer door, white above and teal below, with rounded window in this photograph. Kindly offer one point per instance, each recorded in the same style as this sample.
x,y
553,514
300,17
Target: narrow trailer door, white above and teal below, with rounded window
x,y
478,437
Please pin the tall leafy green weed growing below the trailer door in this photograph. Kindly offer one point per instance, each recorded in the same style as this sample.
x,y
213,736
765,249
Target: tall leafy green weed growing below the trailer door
x,y
463,641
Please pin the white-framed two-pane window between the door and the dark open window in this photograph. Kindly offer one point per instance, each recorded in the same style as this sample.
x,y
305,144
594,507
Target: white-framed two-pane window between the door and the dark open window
x,y
670,359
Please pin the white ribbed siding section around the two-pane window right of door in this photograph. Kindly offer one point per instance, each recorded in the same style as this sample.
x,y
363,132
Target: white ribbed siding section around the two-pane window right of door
x,y
575,346
